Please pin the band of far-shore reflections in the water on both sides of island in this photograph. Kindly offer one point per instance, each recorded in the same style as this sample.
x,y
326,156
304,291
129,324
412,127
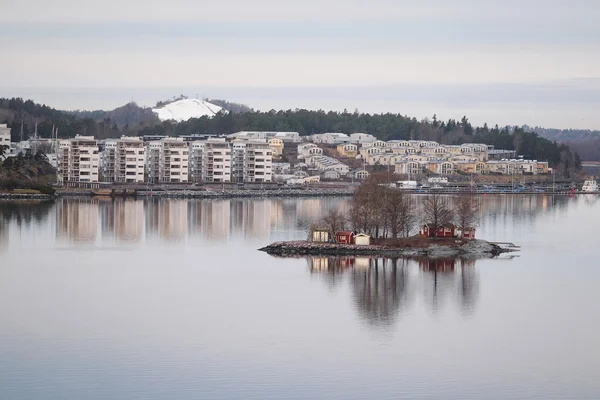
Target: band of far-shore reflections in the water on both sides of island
x,y
176,221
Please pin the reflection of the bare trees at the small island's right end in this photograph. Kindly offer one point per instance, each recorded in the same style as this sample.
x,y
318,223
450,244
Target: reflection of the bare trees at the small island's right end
x,y
447,277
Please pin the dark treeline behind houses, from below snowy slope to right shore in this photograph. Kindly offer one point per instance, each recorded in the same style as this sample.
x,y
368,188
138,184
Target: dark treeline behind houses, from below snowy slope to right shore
x,y
385,127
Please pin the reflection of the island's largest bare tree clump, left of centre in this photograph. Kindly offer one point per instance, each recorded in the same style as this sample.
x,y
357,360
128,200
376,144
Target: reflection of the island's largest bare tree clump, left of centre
x,y
379,290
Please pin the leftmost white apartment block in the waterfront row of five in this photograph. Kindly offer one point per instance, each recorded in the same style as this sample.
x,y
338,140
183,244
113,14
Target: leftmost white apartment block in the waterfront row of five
x,y
78,160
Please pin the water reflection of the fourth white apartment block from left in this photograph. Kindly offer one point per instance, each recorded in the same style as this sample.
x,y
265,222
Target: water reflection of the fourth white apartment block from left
x,y
211,218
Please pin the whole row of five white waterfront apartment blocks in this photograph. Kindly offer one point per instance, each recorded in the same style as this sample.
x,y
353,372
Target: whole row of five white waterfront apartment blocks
x,y
167,160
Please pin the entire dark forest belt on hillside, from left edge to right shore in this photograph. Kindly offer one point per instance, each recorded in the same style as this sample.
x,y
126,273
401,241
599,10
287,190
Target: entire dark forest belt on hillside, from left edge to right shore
x,y
22,115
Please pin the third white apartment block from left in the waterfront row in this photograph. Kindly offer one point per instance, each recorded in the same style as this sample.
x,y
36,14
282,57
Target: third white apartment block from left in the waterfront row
x,y
168,161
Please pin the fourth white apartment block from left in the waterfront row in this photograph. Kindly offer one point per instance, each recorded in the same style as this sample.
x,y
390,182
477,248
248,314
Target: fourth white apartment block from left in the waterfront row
x,y
210,161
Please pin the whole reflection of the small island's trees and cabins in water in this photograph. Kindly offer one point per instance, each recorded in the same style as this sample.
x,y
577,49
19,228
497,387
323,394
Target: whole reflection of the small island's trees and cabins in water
x,y
383,288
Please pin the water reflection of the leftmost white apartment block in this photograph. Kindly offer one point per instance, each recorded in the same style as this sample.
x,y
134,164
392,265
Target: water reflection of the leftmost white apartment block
x,y
77,220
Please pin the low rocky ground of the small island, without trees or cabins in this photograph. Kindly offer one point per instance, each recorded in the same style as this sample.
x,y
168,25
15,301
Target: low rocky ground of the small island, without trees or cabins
x,y
433,248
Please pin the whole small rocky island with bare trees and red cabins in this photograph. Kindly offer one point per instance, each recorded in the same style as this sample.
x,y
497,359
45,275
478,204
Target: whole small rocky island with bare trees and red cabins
x,y
382,221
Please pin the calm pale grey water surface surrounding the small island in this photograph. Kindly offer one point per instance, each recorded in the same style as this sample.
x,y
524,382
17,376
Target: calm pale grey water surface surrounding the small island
x,y
170,299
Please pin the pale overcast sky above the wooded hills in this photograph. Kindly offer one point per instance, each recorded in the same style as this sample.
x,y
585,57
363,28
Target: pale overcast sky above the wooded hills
x,y
506,62
